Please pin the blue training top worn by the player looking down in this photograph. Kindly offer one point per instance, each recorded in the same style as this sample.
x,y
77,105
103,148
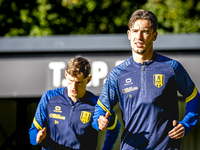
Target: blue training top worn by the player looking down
x,y
69,124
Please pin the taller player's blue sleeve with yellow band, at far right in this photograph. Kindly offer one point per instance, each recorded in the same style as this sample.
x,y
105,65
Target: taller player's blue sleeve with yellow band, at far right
x,y
187,88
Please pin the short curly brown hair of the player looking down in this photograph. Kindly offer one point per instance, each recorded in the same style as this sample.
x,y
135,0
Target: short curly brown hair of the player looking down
x,y
78,66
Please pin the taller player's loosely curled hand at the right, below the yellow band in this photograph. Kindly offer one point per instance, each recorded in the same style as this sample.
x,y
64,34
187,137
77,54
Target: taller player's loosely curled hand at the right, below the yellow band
x,y
177,132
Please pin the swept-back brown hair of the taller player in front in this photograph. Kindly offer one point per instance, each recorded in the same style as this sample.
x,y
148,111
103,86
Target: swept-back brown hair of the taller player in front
x,y
143,14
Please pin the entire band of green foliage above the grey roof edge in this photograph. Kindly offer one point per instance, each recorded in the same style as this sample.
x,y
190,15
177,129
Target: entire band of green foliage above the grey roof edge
x,y
57,17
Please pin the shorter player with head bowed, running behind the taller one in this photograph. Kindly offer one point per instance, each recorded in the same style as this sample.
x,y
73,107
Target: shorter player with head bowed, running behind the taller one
x,y
64,115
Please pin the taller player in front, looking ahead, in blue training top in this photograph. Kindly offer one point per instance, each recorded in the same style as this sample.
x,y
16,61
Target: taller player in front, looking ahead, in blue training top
x,y
146,86
